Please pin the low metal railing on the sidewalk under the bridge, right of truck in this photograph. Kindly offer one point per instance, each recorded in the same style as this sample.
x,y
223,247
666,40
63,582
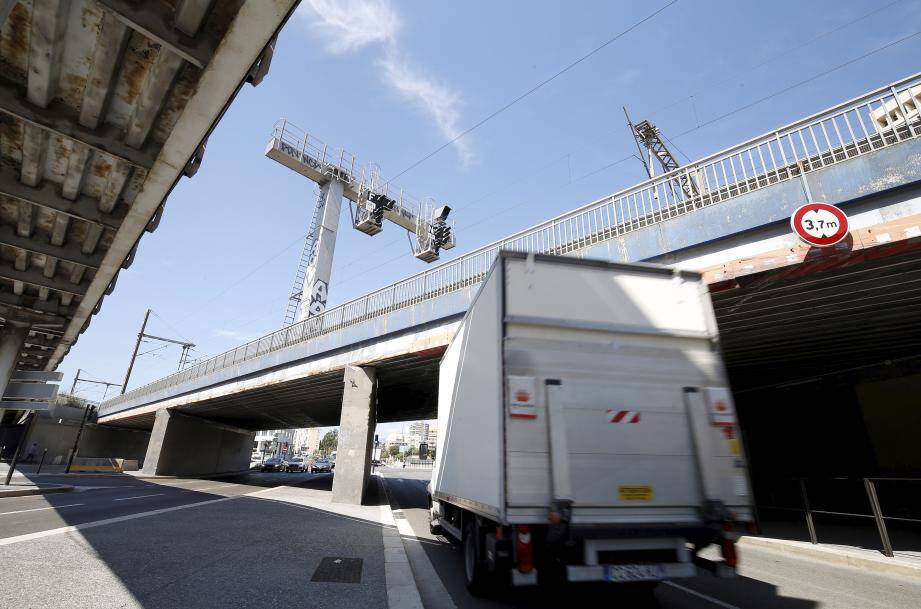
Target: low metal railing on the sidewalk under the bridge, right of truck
x,y
870,492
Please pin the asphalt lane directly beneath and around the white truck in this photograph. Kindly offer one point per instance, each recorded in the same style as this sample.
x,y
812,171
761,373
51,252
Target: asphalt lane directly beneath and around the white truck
x,y
767,579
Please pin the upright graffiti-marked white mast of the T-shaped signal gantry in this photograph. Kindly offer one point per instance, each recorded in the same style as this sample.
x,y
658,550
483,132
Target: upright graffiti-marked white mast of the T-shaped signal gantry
x,y
316,281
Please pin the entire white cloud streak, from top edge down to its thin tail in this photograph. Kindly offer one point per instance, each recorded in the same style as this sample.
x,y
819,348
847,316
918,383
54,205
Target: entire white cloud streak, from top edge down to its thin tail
x,y
348,25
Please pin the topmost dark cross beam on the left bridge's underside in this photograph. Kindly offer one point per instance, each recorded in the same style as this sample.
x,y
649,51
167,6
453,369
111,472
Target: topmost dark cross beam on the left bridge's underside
x,y
154,21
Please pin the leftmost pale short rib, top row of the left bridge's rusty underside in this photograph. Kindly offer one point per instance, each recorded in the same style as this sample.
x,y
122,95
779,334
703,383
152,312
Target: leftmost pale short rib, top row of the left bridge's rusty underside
x,y
46,43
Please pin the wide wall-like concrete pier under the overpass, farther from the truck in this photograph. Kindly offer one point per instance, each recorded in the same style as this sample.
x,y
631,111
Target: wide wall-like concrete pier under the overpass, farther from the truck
x,y
183,445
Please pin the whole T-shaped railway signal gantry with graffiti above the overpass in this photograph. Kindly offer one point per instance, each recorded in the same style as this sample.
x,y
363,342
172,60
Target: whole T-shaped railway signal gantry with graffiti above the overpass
x,y
338,174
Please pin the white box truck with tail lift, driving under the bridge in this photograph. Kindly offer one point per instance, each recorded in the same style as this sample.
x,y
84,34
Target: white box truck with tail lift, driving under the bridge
x,y
587,431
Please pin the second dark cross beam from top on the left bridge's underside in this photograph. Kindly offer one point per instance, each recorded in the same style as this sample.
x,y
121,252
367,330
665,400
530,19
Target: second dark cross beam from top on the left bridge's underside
x,y
61,120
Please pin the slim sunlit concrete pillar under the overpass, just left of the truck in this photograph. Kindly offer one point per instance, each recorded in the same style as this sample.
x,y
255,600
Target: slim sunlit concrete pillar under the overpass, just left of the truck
x,y
356,435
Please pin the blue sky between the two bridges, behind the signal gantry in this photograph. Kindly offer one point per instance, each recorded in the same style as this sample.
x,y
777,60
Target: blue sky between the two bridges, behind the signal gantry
x,y
391,81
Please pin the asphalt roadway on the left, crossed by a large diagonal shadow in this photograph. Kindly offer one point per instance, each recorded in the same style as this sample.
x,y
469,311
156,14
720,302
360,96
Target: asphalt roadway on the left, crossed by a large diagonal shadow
x,y
251,541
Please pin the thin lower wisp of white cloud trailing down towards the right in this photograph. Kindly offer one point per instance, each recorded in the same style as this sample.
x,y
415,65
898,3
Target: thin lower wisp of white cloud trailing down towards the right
x,y
435,99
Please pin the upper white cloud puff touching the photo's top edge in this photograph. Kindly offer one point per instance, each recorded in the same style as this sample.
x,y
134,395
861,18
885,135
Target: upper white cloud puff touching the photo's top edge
x,y
348,25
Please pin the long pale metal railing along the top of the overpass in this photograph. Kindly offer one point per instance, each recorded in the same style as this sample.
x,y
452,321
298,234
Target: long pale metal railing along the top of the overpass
x,y
842,132
